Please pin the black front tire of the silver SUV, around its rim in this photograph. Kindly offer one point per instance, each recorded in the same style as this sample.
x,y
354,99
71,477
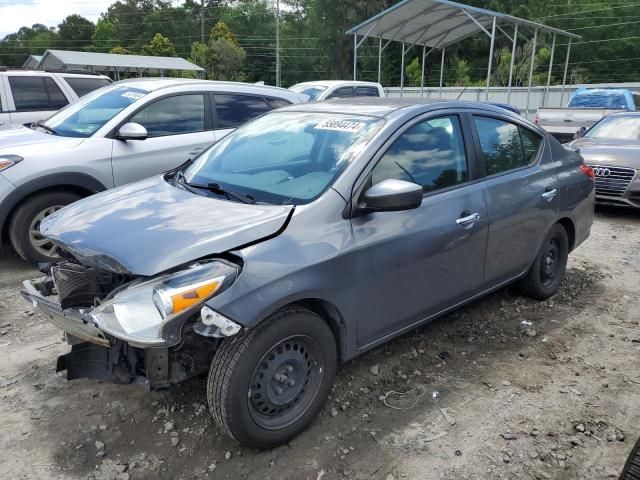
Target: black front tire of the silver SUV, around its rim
x,y
23,217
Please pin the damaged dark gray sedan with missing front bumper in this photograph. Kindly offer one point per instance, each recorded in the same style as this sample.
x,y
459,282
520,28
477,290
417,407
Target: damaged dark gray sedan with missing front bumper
x,y
303,239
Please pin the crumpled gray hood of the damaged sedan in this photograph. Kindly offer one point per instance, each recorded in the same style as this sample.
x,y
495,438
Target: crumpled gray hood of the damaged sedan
x,y
151,226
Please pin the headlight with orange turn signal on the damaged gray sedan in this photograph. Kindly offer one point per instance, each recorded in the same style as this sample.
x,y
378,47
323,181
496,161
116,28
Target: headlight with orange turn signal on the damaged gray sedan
x,y
142,314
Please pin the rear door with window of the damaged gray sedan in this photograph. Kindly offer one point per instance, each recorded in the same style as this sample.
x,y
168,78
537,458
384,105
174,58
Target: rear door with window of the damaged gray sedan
x,y
521,191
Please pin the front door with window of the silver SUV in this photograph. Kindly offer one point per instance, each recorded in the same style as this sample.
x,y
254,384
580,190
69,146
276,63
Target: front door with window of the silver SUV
x,y
179,128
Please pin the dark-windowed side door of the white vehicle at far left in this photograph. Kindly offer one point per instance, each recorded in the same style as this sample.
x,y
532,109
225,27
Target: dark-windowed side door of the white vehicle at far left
x,y
33,97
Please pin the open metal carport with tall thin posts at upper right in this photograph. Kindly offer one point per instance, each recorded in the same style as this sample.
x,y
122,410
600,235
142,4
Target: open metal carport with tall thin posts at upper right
x,y
436,24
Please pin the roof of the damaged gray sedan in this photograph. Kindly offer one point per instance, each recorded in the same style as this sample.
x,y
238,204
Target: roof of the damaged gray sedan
x,y
386,107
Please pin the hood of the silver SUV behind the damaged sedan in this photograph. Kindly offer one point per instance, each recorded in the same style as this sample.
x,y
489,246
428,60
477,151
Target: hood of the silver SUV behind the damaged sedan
x,y
19,140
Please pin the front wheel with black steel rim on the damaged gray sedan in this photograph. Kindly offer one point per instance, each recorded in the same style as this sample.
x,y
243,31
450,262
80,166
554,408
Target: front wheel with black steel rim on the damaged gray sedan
x,y
240,361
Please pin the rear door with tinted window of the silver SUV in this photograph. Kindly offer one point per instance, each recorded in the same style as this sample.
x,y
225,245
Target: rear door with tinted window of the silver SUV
x,y
234,109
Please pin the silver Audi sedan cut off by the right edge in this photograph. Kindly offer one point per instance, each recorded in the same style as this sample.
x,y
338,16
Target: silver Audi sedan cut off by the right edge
x,y
612,148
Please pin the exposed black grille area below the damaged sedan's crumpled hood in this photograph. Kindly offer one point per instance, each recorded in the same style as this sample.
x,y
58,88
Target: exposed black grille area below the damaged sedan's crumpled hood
x,y
80,286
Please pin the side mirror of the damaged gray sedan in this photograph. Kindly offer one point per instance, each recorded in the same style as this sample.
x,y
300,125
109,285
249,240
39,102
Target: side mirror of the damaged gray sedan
x,y
393,195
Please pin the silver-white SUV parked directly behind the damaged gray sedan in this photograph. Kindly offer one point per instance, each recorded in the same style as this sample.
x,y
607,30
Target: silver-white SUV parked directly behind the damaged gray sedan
x,y
119,134
